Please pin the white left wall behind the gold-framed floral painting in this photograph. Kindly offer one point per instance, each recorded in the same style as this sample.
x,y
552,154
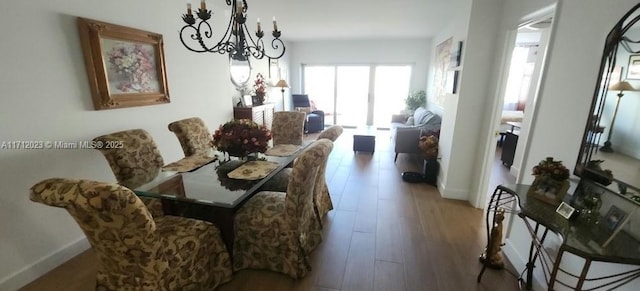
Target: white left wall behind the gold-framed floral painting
x,y
46,97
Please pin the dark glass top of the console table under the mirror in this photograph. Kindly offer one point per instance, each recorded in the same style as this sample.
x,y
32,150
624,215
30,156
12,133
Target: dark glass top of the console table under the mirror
x,y
581,238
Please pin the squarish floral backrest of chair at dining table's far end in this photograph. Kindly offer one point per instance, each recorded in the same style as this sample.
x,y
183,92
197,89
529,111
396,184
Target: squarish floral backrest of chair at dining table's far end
x,y
288,127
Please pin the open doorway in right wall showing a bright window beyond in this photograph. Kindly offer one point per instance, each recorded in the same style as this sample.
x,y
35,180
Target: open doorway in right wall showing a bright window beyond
x,y
518,91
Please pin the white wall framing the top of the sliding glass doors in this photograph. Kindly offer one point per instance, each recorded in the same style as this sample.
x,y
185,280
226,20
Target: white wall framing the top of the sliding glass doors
x,y
414,52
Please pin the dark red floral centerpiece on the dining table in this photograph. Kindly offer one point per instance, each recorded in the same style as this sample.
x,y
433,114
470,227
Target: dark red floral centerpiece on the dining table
x,y
241,137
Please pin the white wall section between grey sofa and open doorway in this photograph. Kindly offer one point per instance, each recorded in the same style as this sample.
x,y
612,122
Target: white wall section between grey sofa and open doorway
x,y
463,132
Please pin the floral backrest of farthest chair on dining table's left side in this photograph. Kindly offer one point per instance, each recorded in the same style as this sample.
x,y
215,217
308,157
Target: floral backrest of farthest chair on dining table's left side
x,y
193,135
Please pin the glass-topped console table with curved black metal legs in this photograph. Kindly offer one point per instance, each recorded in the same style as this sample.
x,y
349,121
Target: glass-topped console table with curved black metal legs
x,y
579,238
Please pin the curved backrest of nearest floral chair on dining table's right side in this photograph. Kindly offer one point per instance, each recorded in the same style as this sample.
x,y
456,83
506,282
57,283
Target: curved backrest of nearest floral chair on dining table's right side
x,y
302,182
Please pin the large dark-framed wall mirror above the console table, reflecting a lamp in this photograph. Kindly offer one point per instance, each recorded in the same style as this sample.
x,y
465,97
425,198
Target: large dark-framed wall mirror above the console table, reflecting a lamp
x,y
610,151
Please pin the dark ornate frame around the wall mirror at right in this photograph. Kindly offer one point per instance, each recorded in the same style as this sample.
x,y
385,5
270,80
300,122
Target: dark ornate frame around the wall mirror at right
x,y
585,166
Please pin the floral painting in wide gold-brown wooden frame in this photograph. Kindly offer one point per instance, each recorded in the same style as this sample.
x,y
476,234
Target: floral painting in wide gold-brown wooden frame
x,y
125,66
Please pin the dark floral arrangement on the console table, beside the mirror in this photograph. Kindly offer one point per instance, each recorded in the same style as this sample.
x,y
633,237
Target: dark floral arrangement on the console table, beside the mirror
x,y
551,182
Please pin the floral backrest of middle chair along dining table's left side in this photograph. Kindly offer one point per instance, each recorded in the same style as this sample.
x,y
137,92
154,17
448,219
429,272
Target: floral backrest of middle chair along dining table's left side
x,y
133,156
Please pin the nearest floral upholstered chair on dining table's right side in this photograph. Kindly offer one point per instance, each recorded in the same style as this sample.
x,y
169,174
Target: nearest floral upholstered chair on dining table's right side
x,y
277,230
